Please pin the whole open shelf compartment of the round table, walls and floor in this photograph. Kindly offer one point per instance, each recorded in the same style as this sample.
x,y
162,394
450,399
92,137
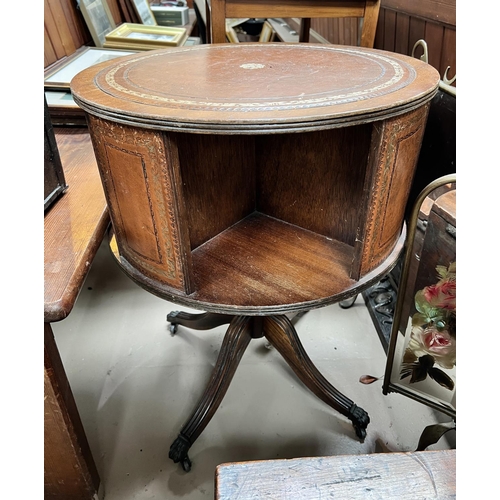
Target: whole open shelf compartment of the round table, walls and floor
x,y
273,216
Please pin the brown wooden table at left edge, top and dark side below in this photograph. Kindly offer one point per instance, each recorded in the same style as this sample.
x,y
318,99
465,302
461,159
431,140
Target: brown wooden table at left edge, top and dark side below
x,y
74,227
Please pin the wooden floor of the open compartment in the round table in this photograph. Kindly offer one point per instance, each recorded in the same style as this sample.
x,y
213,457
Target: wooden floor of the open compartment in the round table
x,y
262,261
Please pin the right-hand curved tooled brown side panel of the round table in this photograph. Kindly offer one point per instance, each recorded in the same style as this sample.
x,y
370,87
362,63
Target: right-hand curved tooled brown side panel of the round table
x,y
391,166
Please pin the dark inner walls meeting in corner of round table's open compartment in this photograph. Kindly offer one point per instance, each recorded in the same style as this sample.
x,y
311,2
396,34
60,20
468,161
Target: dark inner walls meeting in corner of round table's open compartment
x,y
313,180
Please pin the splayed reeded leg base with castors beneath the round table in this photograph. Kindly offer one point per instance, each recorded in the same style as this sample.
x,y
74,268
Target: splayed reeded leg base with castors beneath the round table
x,y
281,334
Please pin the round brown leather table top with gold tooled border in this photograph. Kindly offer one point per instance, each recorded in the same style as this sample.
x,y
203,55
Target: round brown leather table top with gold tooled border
x,y
252,87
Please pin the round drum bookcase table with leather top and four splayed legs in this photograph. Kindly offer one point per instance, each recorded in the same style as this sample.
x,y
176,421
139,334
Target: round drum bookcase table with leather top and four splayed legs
x,y
250,181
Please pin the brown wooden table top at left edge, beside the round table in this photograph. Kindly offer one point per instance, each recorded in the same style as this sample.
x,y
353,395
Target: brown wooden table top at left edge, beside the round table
x,y
74,226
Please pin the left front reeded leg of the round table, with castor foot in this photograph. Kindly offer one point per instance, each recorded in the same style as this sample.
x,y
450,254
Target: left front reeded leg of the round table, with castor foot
x,y
233,346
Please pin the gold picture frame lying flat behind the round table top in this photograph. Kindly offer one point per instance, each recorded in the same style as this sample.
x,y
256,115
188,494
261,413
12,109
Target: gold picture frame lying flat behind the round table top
x,y
142,37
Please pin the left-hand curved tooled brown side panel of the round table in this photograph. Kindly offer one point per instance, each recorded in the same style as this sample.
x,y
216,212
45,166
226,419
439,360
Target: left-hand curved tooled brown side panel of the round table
x,y
138,172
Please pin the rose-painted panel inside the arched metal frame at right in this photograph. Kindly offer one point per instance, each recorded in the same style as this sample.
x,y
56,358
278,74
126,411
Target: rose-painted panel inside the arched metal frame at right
x,y
424,359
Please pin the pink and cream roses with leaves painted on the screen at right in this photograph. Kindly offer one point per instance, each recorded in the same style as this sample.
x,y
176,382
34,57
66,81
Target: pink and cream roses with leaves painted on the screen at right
x,y
432,344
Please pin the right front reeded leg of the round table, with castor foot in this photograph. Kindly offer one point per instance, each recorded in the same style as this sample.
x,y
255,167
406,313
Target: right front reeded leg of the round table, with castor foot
x,y
281,334
